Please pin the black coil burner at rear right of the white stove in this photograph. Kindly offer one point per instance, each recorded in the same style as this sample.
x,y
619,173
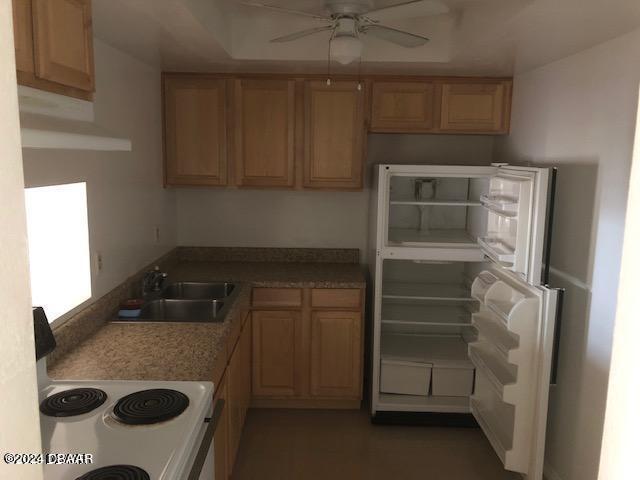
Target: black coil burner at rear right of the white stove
x,y
150,406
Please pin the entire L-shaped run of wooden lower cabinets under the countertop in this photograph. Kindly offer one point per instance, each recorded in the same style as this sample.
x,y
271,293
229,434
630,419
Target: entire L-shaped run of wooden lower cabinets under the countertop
x,y
303,348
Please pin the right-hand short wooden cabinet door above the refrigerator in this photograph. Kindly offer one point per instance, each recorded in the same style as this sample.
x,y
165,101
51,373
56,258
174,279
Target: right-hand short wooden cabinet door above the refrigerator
x,y
476,107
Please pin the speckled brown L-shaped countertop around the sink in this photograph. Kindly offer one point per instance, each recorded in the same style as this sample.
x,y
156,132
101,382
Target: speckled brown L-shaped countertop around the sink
x,y
189,351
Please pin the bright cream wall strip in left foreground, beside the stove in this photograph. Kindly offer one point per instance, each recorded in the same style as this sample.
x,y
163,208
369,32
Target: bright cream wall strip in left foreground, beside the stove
x,y
19,426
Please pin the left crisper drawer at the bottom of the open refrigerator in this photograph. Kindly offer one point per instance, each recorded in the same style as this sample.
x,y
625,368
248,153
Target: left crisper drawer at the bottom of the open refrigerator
x,y
405,378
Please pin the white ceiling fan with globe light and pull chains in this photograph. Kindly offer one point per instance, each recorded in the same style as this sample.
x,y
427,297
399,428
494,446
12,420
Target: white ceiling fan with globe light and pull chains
x,y
349,19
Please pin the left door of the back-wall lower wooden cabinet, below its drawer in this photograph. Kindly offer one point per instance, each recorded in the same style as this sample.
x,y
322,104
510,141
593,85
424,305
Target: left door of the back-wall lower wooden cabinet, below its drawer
x,y
274,352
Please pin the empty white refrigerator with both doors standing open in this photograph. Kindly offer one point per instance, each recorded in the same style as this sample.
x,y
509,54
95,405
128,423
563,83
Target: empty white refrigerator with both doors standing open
x,y
463,320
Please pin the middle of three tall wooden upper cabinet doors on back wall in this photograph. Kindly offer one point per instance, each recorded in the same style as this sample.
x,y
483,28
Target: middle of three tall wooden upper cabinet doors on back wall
x,y
264,132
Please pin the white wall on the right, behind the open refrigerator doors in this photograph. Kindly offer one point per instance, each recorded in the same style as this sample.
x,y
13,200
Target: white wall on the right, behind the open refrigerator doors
x,y
579,114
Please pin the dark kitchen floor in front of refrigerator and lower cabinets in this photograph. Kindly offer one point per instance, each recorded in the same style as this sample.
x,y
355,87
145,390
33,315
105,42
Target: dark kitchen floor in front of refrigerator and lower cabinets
x,y
329,444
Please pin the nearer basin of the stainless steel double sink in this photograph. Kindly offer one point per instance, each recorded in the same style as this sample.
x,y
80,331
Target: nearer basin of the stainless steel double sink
x,y
174,310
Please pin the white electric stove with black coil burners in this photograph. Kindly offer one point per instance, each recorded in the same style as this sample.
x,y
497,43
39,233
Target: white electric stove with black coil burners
x,y
132,430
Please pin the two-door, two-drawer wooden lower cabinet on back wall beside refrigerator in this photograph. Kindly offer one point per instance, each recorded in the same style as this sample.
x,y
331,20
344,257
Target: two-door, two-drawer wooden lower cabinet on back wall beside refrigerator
x,y
308,356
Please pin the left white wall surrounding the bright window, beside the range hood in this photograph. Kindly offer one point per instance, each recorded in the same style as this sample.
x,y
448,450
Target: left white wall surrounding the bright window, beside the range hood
x,y
126,200
